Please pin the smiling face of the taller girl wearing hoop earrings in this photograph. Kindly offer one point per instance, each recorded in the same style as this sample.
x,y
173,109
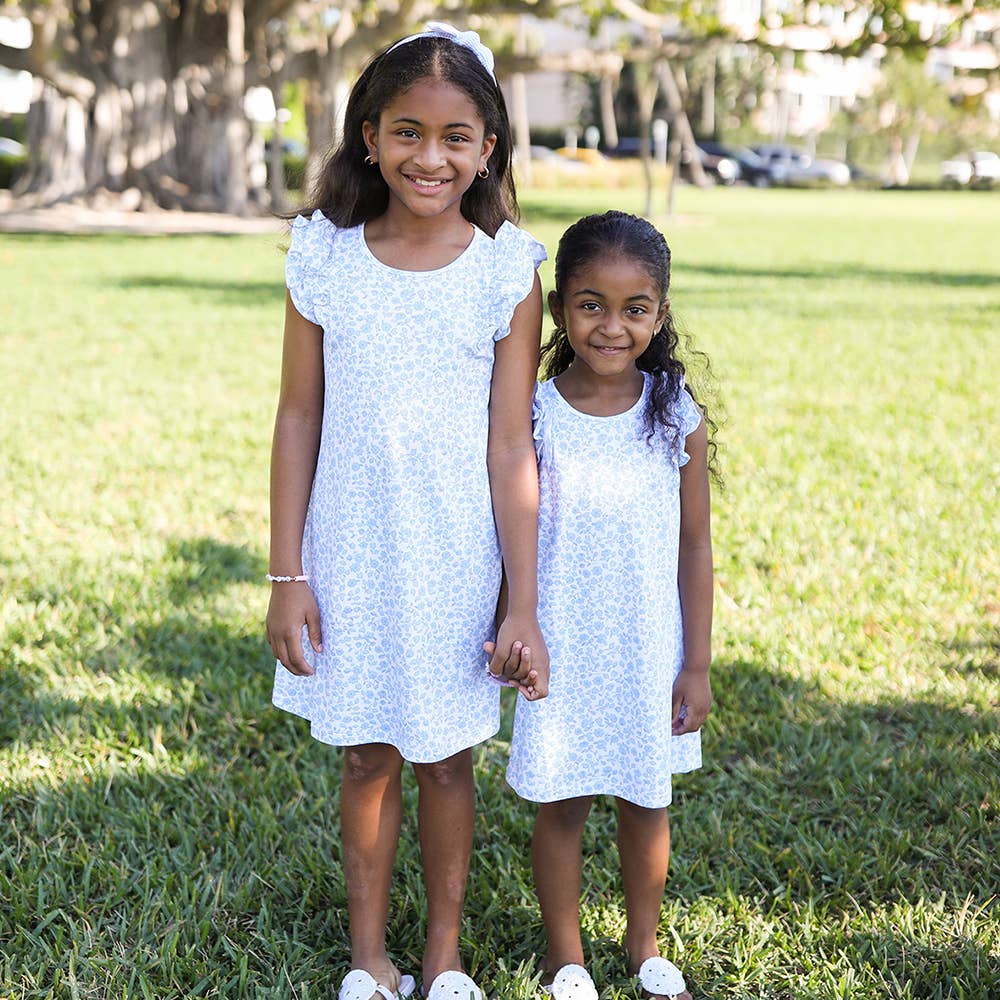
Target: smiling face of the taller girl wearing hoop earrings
x,y
429,143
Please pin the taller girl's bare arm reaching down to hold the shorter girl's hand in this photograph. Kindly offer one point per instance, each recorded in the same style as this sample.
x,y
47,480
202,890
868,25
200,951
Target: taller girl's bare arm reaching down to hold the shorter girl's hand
x,y
514,483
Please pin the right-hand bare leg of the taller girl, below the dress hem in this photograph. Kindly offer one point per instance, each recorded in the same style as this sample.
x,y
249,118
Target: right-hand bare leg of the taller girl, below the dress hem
x,y
446,812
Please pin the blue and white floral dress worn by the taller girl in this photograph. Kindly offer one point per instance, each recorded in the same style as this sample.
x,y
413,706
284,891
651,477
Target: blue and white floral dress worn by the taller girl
x,y
399,542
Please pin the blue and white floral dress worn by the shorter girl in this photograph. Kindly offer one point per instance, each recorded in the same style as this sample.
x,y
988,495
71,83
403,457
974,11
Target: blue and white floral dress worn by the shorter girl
x,y
609,608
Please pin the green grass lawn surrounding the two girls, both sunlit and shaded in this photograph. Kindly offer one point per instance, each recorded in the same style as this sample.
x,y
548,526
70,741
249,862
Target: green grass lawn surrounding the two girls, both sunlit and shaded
x,y
167,834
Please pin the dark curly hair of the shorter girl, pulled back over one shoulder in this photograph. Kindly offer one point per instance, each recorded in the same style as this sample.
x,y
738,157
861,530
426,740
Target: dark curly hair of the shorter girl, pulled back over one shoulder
x,y
620,234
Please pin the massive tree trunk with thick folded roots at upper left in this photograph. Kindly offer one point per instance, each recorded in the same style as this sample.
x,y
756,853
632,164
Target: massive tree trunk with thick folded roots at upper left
x,y
141,94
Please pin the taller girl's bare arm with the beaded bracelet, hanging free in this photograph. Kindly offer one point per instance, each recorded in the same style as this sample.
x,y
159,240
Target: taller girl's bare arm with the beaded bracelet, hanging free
x,y
294,449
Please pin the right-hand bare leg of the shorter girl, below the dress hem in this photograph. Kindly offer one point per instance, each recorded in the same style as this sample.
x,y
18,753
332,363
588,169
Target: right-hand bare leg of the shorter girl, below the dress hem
x,y
644,847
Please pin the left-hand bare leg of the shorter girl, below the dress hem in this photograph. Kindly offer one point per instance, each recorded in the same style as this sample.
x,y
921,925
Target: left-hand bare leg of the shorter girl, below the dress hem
x,y
558,864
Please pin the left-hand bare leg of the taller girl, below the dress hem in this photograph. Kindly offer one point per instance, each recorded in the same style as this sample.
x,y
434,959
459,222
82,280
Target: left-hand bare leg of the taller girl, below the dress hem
x,y
371,808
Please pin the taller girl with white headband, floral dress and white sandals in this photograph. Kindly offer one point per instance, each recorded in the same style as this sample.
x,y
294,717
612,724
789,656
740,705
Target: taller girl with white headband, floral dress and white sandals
x,y
402,466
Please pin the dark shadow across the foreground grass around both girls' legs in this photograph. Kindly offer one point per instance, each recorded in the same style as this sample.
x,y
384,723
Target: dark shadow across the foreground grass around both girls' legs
x,y
203,823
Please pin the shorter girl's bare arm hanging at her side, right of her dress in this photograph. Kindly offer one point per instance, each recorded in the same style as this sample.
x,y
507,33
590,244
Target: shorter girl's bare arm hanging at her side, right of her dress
x,y
692,688
